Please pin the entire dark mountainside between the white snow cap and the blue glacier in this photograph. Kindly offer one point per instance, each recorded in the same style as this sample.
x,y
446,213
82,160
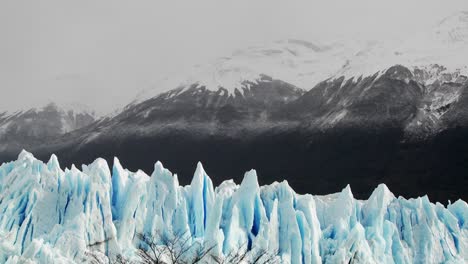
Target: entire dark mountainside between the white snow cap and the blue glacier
x,y
394,127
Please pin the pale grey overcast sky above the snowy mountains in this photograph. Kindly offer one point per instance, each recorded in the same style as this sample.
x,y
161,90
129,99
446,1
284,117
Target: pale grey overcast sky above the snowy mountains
x,y
103,52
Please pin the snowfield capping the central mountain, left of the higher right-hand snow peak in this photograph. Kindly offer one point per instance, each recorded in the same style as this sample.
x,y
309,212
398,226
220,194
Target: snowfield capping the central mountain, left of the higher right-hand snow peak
x,y
298,62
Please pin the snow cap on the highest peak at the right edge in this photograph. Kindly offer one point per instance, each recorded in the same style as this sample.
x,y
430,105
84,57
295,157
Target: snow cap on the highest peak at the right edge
x,y
444,45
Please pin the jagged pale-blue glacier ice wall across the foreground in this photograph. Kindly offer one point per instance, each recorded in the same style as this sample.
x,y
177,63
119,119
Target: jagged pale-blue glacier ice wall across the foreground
x,y
50,215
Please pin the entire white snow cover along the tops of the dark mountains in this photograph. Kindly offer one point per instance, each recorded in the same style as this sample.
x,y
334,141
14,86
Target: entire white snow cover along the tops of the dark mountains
x,y
305,64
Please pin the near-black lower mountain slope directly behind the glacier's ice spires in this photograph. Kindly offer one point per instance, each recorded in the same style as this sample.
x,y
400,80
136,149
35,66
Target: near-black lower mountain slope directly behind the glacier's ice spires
x,y
315,162
